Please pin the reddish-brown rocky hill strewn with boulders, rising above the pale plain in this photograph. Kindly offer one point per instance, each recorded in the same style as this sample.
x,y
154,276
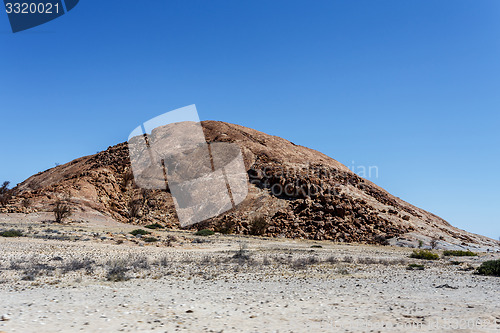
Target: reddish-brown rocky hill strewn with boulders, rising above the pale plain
x,y
294,192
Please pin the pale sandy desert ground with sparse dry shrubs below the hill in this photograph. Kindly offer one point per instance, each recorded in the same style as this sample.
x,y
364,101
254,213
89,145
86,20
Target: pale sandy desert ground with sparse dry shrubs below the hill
x,y
92,275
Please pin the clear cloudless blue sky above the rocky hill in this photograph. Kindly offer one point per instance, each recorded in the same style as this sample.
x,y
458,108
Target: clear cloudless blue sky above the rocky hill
x,y
412,87
